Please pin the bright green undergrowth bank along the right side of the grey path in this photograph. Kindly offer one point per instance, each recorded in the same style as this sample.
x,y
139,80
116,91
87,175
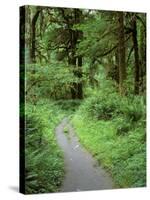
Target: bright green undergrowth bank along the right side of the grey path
x,y
112,128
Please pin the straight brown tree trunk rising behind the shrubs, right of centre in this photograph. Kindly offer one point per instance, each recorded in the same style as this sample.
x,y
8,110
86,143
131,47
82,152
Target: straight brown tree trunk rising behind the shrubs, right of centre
x,y
121,57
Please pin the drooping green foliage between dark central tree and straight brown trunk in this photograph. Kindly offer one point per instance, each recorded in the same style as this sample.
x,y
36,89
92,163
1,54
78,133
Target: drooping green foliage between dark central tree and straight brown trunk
x,y
97,36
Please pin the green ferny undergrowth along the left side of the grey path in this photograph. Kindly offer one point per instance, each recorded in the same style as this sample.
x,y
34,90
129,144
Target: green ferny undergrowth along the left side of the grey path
x,y
44,165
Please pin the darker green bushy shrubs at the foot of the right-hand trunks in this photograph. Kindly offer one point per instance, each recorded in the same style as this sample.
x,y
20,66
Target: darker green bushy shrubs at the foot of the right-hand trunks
x,y
126,112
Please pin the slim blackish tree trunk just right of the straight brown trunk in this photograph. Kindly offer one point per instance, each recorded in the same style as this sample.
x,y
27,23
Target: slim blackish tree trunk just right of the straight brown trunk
x,y
136,57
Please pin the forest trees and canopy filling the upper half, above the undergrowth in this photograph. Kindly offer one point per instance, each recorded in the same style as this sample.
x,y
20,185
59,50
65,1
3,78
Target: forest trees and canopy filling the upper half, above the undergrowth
x,y
75,43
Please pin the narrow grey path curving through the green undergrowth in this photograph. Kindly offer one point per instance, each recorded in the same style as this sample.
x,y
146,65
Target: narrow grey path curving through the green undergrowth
x,y
82,171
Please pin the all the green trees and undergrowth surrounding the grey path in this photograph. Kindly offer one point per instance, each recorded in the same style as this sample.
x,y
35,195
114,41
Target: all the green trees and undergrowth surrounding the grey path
x,y
88,65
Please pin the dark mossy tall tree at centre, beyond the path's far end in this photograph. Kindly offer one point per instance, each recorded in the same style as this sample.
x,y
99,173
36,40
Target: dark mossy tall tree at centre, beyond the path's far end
x,y
73,60
